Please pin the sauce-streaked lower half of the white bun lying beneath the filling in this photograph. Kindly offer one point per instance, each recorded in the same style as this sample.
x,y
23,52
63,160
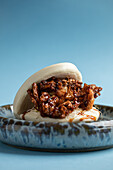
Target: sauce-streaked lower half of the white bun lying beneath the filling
x,y
77,115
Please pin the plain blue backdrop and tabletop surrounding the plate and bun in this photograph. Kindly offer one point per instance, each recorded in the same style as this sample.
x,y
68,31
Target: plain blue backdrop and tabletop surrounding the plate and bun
x,y
38,33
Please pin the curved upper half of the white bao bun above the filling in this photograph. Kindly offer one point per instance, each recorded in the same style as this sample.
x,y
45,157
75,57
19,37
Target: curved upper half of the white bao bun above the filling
x,y
22,101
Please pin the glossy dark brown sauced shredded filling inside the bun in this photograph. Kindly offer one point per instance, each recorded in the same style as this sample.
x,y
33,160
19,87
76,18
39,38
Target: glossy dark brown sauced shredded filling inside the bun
x,y
58,97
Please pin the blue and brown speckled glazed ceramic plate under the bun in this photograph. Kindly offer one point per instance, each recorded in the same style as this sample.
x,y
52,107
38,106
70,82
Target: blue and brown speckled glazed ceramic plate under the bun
x,y
57,136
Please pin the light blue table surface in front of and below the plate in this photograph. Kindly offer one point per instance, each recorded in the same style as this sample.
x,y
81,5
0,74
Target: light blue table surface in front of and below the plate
x,y
12,158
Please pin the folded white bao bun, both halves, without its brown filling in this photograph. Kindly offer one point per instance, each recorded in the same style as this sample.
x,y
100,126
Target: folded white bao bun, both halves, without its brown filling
x,y
22,102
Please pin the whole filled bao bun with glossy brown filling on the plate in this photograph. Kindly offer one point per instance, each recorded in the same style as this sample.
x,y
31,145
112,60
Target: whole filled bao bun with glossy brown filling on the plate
x,y
57,94
